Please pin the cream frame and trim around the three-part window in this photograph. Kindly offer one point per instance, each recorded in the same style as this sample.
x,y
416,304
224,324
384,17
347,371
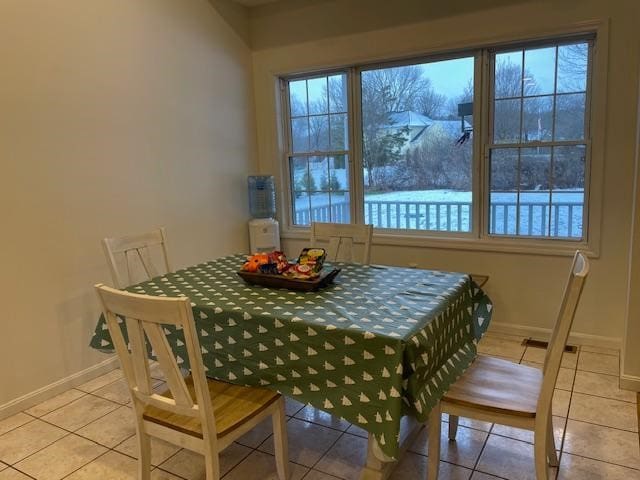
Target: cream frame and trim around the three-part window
x,y
478,239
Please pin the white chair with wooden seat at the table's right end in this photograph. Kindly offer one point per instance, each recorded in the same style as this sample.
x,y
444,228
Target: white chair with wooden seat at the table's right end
x,y
498,391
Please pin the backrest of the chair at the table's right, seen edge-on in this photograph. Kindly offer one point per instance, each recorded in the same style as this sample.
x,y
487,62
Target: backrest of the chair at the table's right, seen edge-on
x,y
562,327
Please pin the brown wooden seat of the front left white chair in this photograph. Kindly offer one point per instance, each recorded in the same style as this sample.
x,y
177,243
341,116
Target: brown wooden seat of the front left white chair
x,y
233,405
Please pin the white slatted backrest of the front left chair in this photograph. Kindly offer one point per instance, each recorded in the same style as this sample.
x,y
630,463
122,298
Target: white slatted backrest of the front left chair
x,y
145,320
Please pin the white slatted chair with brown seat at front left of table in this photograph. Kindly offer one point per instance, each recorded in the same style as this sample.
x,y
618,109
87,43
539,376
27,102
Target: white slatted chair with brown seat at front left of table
x,y
195,413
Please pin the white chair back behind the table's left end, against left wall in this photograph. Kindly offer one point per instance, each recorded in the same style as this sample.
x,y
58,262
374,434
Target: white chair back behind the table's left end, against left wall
x,y
136,250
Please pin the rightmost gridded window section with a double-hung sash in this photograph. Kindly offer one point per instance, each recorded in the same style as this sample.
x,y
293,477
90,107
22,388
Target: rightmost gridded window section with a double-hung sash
x,y
537,141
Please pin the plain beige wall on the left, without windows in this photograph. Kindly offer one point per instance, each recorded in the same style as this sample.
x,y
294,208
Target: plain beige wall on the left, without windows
x,y
116,117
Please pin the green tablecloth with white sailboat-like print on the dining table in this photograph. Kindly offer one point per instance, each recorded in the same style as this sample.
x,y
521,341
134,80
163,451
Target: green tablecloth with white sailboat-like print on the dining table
x,y
379,343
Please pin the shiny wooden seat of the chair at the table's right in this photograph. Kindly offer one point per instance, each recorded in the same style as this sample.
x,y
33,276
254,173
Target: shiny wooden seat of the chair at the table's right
x,y
499,386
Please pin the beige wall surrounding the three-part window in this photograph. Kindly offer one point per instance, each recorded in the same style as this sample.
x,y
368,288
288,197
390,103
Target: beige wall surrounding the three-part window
x,y
525,288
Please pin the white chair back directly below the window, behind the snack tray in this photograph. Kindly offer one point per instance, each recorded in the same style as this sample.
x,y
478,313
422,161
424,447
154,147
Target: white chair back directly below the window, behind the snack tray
x,y
341,238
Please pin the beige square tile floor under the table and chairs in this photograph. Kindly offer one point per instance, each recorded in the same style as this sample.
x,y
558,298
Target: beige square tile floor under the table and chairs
x,y
87,434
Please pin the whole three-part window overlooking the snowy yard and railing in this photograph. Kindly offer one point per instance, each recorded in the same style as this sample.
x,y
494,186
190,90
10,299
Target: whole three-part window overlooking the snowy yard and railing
x,y
419,149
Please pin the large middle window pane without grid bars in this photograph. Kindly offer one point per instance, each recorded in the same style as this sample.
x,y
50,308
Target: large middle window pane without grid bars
x,y
416,147
